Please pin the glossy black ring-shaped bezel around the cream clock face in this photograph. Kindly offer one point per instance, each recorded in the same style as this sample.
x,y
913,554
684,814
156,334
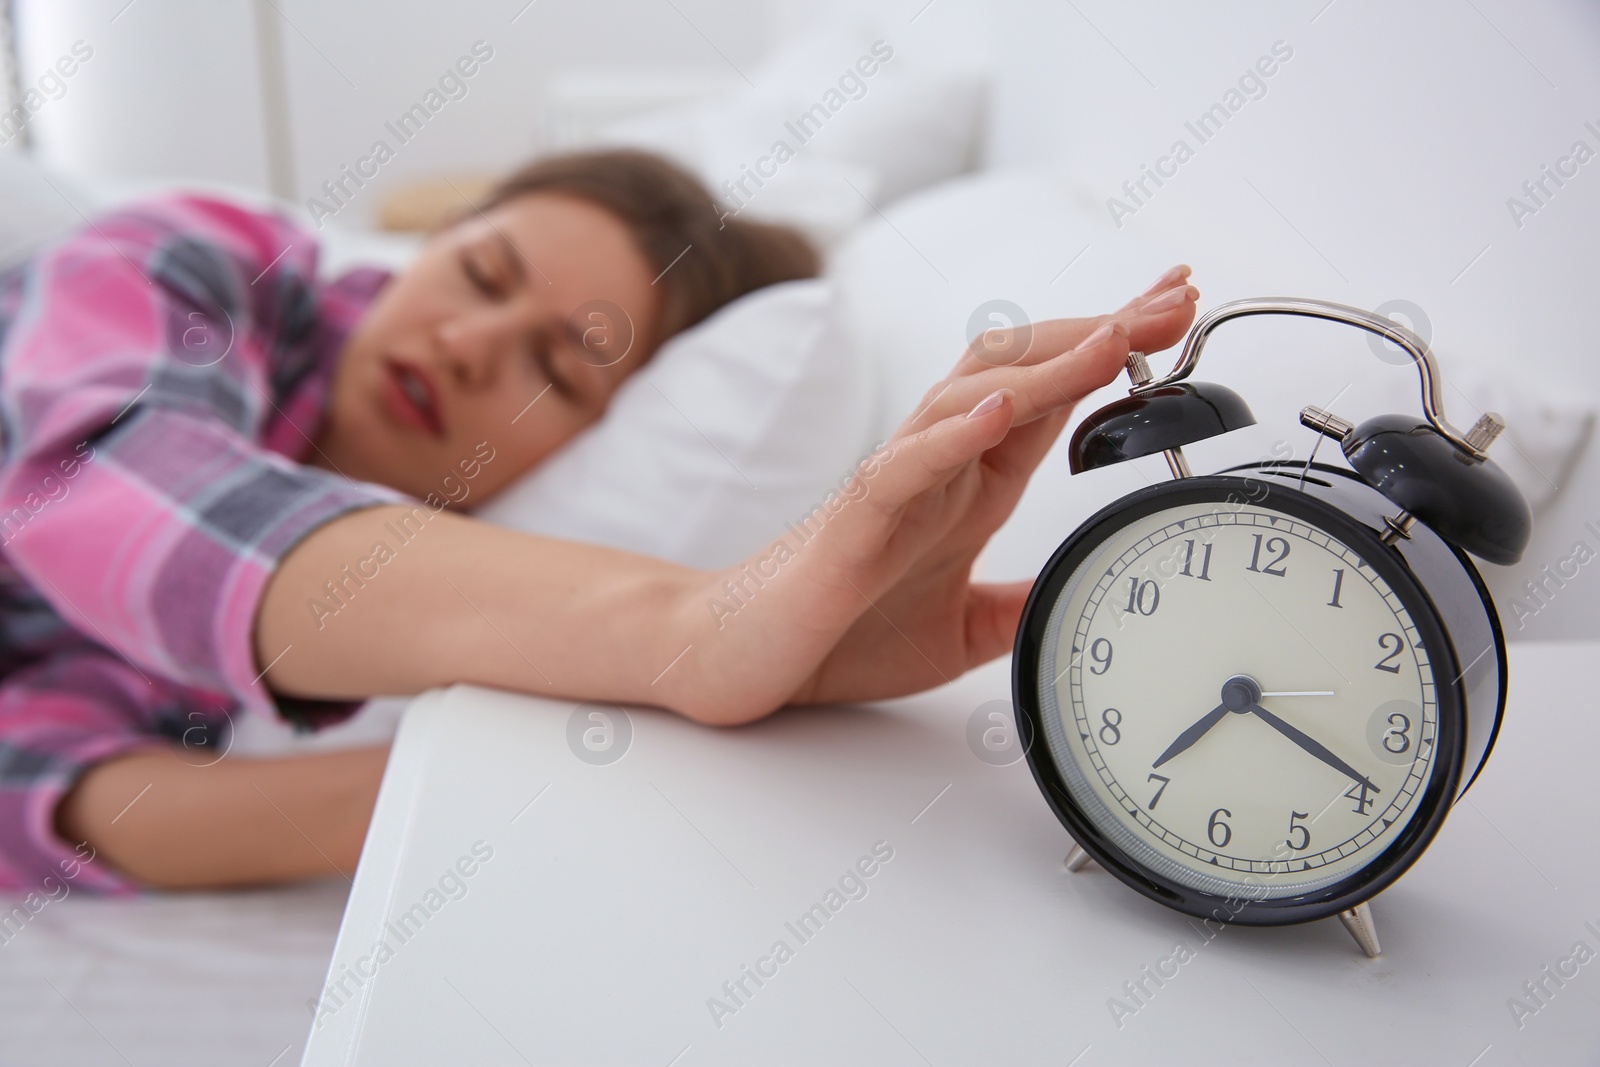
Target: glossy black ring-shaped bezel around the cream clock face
x,y
1434,801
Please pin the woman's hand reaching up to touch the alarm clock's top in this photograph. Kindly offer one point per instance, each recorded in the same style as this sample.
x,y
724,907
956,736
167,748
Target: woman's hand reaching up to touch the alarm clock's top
x,y
879,602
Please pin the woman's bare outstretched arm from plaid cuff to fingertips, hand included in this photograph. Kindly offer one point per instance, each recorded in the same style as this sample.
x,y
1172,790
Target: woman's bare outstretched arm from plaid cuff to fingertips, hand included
x,y
377,604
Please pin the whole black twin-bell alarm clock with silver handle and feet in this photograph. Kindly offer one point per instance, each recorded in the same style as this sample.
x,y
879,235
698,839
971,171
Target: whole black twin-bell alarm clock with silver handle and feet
x,y
1254,697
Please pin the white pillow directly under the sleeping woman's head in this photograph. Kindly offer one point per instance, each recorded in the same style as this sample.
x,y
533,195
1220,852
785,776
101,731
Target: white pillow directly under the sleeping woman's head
x,y
735,428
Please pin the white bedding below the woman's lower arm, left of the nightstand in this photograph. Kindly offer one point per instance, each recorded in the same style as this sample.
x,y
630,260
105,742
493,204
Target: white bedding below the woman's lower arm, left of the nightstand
x,y
180,981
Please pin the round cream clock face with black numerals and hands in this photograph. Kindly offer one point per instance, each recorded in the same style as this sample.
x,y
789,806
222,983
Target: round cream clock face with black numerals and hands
x,y
1238,701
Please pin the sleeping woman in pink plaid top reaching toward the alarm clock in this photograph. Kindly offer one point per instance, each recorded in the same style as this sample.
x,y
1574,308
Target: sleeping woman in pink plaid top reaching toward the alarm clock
x,y
202,441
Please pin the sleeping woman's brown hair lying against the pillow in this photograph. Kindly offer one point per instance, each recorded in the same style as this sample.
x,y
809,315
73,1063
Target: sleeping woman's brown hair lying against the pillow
x,y
705,258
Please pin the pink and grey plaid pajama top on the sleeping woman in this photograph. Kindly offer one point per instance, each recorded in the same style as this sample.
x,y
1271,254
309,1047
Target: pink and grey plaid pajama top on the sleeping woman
x,y
162,377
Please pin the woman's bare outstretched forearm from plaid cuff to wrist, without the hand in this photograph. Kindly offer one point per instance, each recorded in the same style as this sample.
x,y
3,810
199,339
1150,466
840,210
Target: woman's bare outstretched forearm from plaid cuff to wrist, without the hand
x,y
394,601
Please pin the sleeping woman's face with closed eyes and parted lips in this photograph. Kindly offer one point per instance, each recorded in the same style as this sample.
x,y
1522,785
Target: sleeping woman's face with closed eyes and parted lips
x,y
510,334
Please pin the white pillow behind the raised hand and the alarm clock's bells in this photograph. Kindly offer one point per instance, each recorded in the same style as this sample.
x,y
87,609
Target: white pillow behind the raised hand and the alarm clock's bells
x,y
918,282
